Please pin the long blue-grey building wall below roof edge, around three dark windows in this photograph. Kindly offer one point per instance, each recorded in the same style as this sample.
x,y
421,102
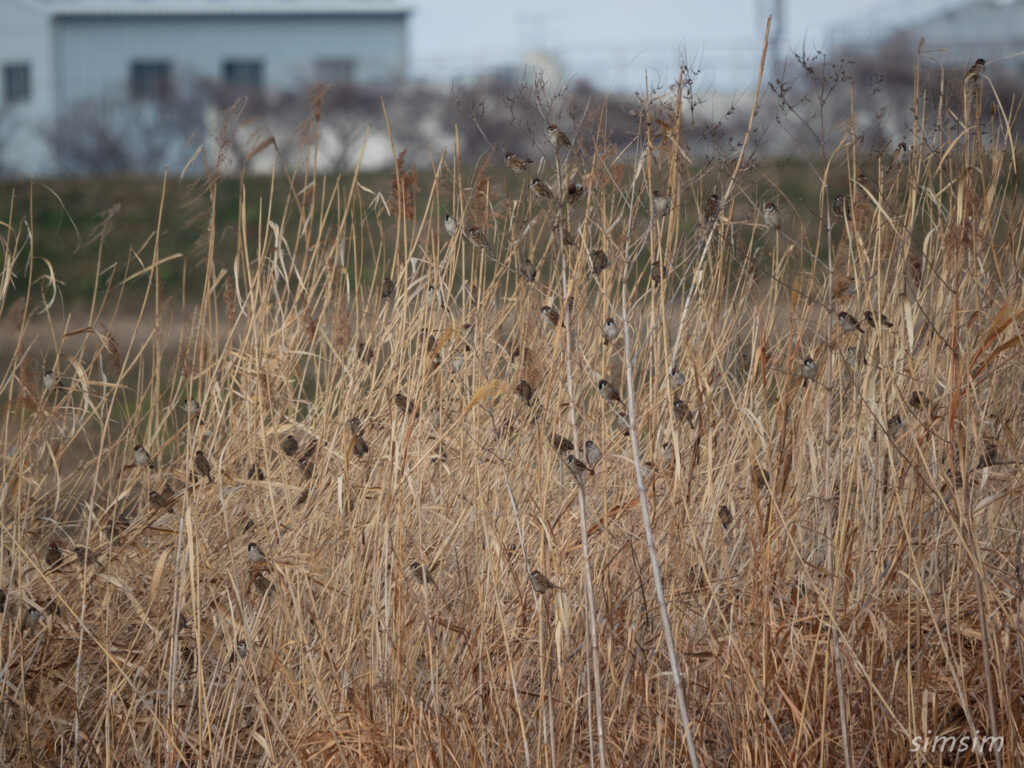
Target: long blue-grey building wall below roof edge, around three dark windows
x,y
95,54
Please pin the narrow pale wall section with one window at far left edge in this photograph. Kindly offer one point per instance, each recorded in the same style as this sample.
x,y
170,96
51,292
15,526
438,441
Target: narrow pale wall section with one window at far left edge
x,y
26,38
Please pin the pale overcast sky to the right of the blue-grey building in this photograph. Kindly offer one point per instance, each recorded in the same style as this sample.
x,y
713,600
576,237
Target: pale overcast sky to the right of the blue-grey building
x,y
613,42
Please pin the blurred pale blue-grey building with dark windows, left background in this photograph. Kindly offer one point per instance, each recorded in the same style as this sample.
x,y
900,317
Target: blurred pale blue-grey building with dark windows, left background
x,y
59,55
